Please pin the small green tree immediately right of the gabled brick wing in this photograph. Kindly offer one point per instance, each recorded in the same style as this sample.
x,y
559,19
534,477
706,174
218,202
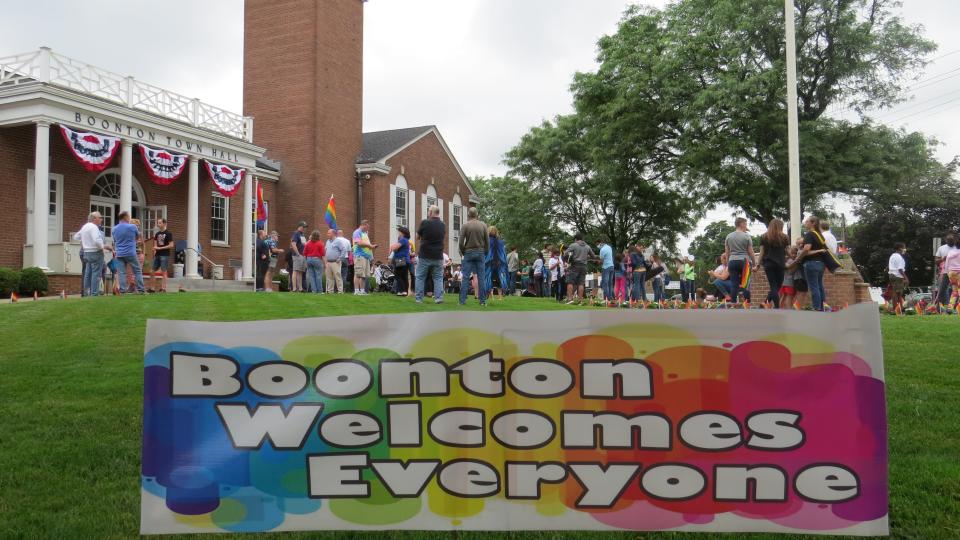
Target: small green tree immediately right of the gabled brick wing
x,y
523,217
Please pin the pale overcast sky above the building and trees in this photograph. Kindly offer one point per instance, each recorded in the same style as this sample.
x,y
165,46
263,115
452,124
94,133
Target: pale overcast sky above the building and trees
x,y
483,71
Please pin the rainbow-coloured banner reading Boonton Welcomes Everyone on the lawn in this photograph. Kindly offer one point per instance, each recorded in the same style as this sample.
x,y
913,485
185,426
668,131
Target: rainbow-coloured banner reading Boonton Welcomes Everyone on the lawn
x,y
728,421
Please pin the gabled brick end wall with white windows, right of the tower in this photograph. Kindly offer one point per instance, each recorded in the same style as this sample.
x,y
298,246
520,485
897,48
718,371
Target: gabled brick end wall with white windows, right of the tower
x,y
423,162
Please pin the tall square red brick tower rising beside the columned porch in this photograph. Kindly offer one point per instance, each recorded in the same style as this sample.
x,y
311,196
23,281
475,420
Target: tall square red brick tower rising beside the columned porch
x,y
303,84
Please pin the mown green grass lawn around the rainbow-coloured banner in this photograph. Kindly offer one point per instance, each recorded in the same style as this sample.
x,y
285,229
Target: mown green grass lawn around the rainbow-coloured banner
x,y
71,390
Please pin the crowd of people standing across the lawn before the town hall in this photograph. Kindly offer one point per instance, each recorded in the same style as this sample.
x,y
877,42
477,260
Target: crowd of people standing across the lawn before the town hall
x,y
332,263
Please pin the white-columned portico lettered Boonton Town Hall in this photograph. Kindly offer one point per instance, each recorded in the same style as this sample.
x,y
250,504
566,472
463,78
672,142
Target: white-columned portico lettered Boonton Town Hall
x,y
41,91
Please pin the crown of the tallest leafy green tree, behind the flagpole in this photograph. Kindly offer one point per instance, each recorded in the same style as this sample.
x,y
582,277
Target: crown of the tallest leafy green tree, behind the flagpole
x,y
705,80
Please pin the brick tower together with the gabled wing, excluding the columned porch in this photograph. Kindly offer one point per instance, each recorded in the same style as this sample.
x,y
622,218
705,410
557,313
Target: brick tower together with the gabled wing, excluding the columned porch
x,y
303,82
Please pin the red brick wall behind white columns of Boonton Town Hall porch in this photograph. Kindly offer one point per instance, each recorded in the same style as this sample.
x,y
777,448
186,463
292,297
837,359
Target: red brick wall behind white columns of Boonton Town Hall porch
x,y
17,147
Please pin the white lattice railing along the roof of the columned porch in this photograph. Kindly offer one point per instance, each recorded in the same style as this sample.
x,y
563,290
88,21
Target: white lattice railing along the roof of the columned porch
x,y
48,67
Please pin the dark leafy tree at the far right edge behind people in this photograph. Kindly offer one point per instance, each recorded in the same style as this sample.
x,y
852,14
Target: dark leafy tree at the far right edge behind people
x,y
913,213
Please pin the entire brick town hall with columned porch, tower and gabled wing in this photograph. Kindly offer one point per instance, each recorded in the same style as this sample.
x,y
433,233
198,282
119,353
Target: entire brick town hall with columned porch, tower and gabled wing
x,y
303,81
